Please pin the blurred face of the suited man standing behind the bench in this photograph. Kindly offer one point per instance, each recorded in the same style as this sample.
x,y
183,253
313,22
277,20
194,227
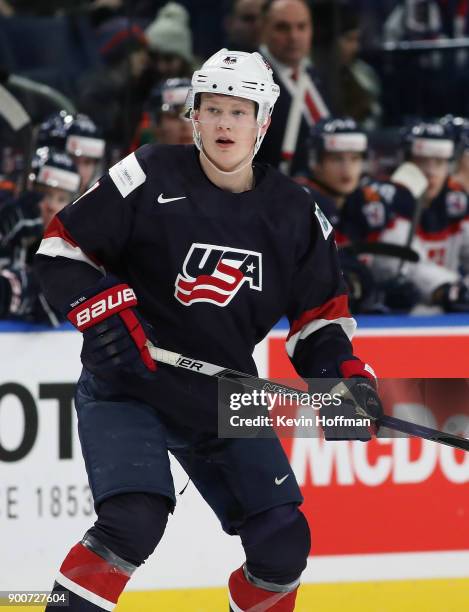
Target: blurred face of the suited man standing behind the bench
x,y
288,31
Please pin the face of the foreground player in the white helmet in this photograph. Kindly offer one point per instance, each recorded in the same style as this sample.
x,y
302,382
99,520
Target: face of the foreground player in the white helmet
x,y
228,128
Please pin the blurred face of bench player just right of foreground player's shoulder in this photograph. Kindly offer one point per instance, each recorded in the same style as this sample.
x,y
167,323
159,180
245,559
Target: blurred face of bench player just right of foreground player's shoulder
x,y
340,171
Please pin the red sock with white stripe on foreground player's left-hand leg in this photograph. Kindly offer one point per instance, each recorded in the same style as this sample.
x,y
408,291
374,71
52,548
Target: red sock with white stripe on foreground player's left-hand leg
x,y
93,575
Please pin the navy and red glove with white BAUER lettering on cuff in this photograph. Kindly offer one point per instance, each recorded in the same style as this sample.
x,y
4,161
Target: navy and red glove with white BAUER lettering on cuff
x,y
114,334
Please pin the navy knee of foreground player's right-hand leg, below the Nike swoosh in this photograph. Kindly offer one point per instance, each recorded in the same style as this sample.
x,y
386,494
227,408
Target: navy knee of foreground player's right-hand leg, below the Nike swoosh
x,y
277,543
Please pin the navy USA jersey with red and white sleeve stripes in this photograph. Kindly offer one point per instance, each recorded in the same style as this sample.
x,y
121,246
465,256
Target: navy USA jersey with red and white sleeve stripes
x,y
213,270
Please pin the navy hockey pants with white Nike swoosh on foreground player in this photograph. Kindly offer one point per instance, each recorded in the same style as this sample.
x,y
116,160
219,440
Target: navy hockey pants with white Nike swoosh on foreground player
x,y
125,446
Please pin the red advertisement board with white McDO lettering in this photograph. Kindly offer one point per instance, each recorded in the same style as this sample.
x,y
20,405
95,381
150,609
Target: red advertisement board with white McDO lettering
x,y
390,495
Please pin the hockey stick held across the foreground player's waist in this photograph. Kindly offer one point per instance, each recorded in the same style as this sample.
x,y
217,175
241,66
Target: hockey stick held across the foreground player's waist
x,y
209,369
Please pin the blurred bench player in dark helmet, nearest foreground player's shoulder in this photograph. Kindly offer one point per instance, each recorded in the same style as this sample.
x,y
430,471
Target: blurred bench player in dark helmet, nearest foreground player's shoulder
x,y
358,210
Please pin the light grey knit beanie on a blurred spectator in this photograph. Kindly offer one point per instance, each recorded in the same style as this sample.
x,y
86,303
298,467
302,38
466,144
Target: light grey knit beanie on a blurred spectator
x,y
170,32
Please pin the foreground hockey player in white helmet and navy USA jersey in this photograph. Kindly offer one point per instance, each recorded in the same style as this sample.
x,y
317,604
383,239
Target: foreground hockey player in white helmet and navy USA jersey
x,y
210,249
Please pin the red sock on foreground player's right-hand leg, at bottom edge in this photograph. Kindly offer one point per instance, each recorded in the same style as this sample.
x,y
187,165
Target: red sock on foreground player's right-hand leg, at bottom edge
x,y
250,594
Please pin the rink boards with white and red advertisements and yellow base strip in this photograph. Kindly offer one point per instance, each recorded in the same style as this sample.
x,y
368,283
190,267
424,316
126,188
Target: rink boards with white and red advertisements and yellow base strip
x,y
393,510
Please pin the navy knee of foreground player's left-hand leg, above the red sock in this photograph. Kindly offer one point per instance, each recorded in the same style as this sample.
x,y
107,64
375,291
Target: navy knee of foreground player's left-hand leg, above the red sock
x,y
132,524
